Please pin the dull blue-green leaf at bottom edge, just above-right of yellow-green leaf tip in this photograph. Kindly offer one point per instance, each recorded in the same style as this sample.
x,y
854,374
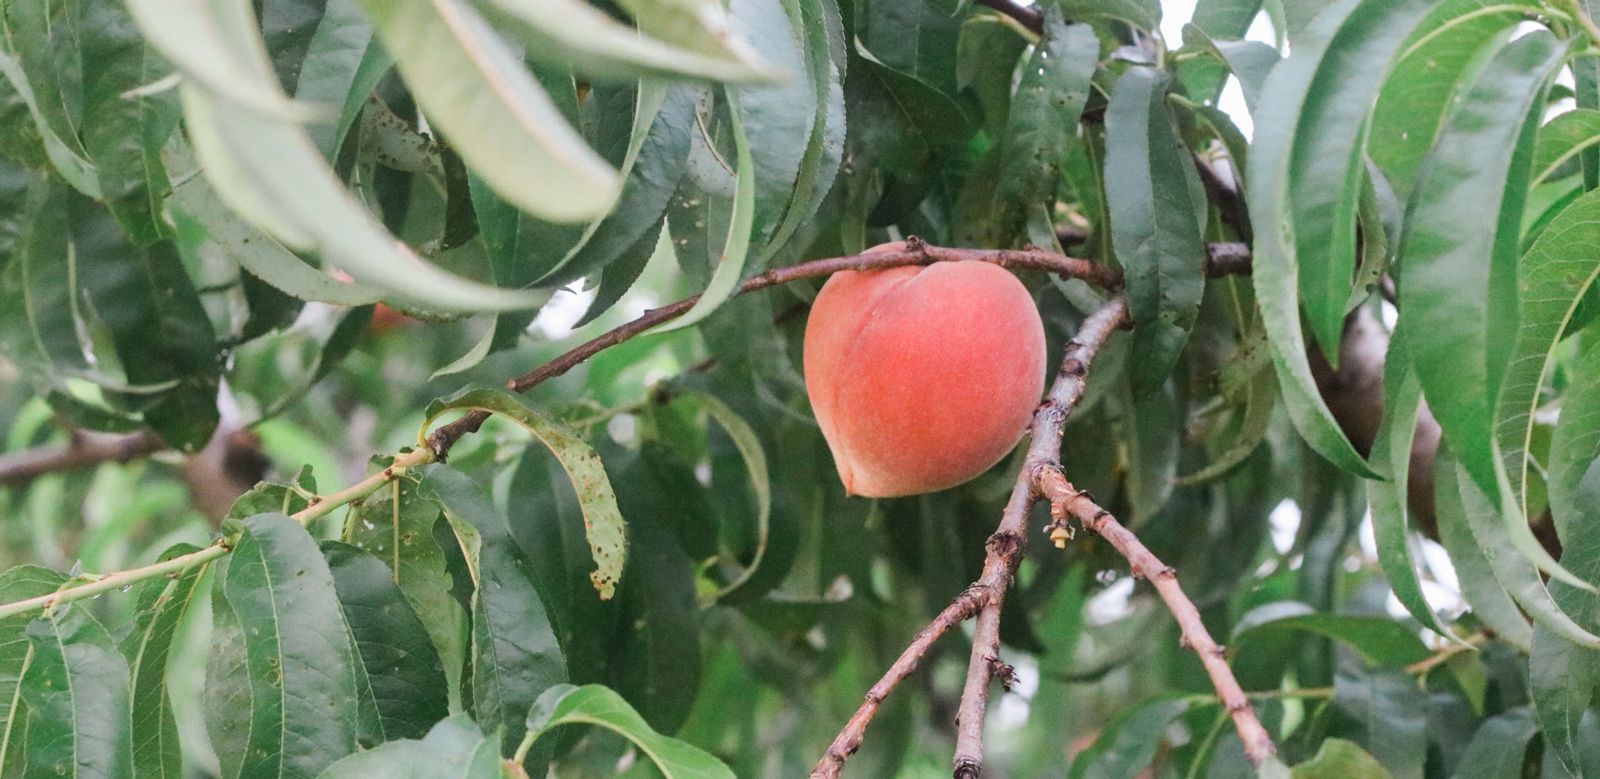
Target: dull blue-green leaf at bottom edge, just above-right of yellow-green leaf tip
x,y
1390,711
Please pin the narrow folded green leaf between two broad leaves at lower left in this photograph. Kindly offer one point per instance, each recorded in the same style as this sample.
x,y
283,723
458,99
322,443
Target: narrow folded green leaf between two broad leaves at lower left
x,y
164,605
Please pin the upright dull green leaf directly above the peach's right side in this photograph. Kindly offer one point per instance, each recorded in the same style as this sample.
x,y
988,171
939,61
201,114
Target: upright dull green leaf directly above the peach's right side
x,y
1046,111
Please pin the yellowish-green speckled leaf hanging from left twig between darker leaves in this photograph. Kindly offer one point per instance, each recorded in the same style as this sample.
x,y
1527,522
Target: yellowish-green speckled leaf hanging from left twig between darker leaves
x,y
396,525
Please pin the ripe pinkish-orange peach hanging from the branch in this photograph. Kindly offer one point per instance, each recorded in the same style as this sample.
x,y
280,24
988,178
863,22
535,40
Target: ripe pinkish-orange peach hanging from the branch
x,y
922,378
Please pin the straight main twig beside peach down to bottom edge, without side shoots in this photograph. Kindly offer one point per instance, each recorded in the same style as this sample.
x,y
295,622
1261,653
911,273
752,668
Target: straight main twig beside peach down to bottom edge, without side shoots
x,y
1010,540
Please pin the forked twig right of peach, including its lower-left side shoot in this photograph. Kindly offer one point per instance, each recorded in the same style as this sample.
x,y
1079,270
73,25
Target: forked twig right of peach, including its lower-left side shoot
x,y
1006,548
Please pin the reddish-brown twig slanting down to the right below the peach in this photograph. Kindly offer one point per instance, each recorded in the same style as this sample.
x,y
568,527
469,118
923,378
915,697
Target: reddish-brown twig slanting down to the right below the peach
x,y
1066,500
